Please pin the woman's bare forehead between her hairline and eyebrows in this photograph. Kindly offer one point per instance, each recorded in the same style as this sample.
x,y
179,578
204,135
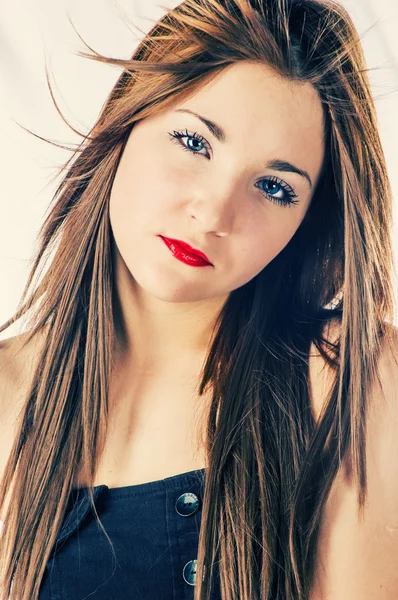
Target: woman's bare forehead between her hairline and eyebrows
x,y
269,113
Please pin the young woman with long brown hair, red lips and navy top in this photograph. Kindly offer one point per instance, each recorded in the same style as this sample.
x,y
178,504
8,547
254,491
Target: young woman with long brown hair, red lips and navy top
x,y
203,404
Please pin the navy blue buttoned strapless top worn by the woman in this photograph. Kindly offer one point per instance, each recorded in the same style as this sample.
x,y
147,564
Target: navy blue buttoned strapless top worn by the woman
x,y
154,528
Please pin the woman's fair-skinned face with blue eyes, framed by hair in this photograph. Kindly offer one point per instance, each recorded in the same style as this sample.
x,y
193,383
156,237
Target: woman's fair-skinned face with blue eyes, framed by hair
x,y
237,200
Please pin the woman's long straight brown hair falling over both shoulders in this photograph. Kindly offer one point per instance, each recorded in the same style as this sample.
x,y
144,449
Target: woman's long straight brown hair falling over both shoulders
x,y
270,465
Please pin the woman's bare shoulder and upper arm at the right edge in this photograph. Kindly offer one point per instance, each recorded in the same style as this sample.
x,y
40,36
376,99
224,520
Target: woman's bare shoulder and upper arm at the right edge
x,y
357,555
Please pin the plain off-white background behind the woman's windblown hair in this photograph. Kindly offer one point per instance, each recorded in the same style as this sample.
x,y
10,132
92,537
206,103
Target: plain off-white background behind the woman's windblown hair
x,y
36,32
